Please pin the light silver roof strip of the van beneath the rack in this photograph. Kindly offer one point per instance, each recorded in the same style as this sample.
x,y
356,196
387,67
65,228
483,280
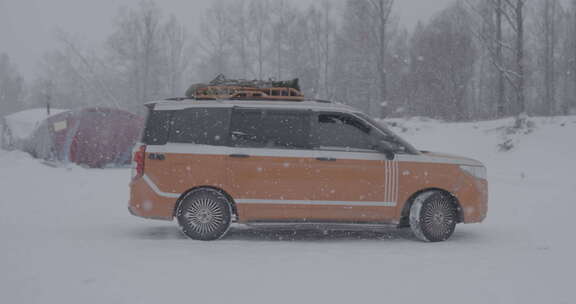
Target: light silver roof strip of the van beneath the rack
x,y
183,103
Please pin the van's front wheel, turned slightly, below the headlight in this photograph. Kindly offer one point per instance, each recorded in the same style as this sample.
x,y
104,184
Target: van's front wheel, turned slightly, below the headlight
x,y
433,216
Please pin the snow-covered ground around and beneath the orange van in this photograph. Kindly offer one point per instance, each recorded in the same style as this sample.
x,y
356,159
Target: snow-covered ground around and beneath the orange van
x,y
66,237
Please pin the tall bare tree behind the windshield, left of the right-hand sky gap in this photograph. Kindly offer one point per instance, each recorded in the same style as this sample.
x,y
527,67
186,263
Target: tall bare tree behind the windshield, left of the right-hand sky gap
x,y
362,53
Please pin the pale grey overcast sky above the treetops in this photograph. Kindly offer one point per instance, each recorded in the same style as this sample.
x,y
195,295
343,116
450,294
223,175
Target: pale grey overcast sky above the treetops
x,y
27,27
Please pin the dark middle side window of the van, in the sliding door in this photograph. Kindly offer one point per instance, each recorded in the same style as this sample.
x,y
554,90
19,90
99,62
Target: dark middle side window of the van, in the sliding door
x,y
276,129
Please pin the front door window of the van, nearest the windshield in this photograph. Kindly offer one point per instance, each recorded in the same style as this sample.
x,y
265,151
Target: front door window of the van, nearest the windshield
x,y
341,132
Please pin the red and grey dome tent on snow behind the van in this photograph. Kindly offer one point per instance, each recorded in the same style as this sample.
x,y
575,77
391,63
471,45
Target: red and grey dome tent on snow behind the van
x,y
93,137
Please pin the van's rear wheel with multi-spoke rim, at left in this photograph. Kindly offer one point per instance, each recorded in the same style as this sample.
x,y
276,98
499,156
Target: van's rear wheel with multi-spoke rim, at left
x,y
204,214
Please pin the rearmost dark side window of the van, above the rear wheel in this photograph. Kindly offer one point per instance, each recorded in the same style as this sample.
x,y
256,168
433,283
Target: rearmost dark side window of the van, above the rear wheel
x,y
200,126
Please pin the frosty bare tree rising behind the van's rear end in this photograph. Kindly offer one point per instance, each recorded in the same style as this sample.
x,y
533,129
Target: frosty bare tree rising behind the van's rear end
x,y
147,55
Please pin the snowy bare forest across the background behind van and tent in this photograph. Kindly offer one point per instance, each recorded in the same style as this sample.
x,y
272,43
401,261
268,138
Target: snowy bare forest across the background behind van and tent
x,y
474,60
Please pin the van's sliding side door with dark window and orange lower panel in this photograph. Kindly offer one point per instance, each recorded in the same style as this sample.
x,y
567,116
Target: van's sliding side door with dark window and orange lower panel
x,y
269,167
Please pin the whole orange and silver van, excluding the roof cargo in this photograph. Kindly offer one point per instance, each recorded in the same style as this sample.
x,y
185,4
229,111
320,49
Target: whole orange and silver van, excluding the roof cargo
x,y
209,163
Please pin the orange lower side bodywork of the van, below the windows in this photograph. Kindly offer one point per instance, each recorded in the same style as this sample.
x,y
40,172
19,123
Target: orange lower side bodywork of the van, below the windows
x,y
301,182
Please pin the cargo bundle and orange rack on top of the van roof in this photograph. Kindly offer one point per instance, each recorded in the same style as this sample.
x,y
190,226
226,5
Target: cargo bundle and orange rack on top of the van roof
x,y
223,88
